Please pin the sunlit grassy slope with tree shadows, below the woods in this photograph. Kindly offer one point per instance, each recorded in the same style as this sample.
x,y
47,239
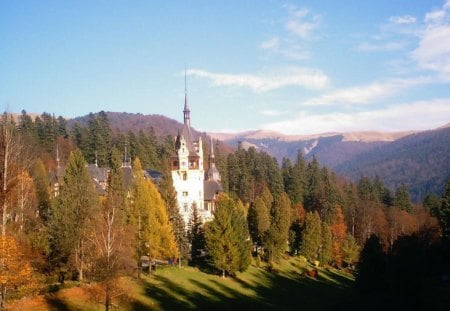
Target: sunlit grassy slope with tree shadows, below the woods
x,y
190,289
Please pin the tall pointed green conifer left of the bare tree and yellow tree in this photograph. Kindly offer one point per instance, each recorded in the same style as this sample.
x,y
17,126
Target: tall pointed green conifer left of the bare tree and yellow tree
x,y
72,214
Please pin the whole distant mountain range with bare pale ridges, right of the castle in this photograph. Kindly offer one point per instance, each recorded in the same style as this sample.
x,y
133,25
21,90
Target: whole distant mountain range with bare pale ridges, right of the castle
x,y
419,159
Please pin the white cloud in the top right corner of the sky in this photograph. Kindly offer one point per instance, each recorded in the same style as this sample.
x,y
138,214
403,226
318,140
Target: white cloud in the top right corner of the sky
x,y
433,52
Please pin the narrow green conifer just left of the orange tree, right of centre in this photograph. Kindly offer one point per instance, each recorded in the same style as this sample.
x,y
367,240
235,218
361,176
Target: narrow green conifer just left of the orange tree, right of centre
x,y
312,236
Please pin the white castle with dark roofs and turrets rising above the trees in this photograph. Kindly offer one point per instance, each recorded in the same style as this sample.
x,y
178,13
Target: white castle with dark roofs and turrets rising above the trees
x,y
194,188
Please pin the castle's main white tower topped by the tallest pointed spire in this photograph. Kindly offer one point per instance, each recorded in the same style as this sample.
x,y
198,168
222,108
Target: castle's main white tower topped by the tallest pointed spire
x,y
188,174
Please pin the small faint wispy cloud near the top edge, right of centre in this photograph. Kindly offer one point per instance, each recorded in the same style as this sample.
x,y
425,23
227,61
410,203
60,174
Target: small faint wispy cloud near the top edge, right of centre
x,y
301,22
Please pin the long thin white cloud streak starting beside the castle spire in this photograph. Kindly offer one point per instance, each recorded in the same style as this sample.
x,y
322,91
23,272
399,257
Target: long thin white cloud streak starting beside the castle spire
x,y
259,83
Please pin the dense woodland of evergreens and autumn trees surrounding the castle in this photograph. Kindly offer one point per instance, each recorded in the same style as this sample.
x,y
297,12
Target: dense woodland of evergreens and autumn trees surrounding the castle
x,y
268,210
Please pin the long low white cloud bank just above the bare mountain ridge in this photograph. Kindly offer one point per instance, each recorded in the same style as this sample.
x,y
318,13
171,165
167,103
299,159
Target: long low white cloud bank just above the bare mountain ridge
x,y
419,115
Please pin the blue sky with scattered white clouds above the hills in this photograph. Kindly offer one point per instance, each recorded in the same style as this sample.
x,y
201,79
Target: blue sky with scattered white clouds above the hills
x,y
297,67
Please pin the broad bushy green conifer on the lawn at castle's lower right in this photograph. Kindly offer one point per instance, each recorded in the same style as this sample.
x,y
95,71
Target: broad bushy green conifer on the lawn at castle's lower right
x,y
227,241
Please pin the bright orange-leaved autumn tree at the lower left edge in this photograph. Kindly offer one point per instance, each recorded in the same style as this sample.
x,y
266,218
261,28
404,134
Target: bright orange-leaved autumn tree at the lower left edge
x,y
14,270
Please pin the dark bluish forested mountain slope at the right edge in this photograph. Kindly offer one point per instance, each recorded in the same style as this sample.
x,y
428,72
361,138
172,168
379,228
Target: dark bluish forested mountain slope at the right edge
x,y
421,160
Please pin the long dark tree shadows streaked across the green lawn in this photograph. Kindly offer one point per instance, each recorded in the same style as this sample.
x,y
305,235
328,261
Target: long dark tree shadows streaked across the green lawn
x,y
276,291
